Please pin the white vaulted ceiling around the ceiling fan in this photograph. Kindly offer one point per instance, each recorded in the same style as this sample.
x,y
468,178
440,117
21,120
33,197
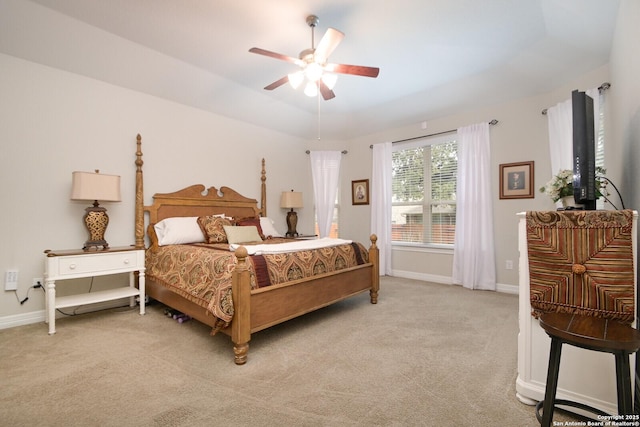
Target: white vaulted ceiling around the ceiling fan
x,y
435,57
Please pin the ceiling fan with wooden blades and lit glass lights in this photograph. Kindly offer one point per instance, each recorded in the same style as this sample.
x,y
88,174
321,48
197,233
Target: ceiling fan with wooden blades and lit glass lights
x,y
319,74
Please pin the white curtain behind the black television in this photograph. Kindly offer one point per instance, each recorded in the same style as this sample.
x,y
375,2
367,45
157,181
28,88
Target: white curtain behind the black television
x,y
560,119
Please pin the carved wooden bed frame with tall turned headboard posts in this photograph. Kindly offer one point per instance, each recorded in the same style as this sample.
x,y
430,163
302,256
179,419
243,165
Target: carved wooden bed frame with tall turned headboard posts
x,y
255,309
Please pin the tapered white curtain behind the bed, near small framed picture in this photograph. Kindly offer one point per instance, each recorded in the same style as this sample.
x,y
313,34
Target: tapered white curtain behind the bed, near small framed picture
x,y
325,169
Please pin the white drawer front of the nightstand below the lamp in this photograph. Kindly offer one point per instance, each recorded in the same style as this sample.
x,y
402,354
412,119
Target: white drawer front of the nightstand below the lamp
x,y
103,263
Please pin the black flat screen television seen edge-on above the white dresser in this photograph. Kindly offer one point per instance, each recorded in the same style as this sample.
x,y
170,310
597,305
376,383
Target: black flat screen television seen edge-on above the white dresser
x,y
584,151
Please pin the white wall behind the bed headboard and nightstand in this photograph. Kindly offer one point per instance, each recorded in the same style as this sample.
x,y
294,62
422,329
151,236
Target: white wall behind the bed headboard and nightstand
x,y
55,122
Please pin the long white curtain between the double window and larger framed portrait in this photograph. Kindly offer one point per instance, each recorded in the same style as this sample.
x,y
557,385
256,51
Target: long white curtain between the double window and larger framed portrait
x,y
474,264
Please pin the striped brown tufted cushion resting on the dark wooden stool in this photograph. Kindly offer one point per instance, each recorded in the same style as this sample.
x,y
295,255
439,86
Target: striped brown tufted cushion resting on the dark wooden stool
x,y
582,262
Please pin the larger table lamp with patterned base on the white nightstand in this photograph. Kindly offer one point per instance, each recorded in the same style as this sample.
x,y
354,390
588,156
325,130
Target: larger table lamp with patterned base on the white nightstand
x,y
95,186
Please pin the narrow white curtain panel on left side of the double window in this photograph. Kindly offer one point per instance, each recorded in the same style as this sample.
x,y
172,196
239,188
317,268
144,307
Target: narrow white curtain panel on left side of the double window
x,y
381,203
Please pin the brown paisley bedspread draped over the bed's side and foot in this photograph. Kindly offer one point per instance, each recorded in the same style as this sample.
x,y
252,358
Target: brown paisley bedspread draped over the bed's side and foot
x,y
202,272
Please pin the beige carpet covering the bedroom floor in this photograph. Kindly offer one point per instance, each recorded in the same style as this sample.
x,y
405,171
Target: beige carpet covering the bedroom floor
x,y
425,355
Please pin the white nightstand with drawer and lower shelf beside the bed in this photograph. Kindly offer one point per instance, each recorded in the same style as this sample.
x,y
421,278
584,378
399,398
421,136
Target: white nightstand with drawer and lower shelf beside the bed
x,y
74,264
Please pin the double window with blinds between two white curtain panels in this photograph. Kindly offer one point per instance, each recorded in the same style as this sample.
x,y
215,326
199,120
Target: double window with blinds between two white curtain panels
x,y
424,191
